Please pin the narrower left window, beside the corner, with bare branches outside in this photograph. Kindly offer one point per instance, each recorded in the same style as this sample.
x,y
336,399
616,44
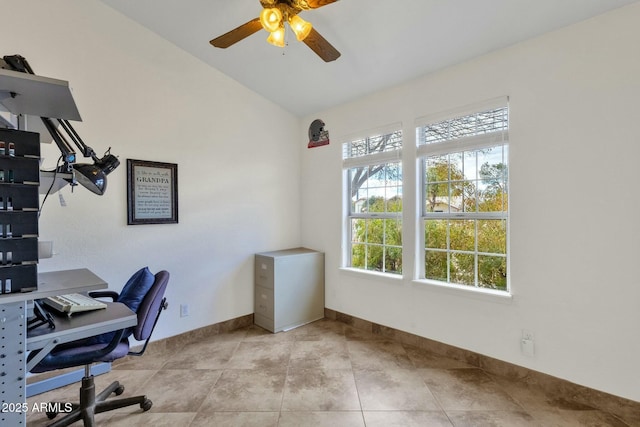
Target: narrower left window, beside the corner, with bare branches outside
x,y
373,171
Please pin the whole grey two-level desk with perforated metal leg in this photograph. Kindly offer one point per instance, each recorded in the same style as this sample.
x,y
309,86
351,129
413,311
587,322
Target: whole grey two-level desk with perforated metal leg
x,y
13,333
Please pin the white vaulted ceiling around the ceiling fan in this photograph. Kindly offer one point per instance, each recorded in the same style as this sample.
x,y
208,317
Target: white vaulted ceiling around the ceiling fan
x,y
383,43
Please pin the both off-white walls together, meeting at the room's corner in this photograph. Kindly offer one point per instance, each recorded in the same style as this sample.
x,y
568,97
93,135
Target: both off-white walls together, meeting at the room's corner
x,y
574,228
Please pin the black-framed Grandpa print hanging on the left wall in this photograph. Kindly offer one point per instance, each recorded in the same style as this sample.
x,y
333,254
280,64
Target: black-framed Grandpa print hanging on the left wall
x,y
152,192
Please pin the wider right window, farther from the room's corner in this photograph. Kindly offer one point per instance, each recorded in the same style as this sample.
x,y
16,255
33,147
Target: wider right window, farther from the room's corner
x,y
464,174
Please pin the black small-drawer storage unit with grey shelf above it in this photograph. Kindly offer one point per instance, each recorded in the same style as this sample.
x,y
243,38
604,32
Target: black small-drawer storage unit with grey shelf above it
x,y
28,97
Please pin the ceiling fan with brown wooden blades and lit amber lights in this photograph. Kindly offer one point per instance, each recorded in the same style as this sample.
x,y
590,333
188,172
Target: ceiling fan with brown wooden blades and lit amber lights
x,y
273,17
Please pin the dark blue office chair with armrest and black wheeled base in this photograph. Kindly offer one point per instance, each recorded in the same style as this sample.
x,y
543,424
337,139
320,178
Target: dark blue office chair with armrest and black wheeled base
x,y
143,294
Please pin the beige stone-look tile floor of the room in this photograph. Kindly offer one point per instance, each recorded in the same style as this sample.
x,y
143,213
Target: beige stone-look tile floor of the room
x,y
323,374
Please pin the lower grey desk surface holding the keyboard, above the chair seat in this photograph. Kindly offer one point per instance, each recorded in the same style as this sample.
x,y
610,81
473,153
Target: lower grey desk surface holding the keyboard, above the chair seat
x,y
82,325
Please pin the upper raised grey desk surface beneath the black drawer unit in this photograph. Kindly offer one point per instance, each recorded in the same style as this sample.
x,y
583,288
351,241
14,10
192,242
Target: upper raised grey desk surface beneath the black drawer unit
x,y
59,283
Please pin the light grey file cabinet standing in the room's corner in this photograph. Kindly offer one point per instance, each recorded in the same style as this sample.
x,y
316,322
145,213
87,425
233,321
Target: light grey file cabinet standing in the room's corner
x,y
289,288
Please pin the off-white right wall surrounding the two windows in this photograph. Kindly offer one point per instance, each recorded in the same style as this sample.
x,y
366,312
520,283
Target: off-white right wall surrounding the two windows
x,y
574,151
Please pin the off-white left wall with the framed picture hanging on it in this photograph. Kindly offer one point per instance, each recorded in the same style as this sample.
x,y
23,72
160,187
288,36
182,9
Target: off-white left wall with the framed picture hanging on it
x,y
237,156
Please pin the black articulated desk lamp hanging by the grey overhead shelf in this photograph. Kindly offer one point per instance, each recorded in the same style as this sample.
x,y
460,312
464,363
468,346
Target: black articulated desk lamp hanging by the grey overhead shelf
x,y
91,176
